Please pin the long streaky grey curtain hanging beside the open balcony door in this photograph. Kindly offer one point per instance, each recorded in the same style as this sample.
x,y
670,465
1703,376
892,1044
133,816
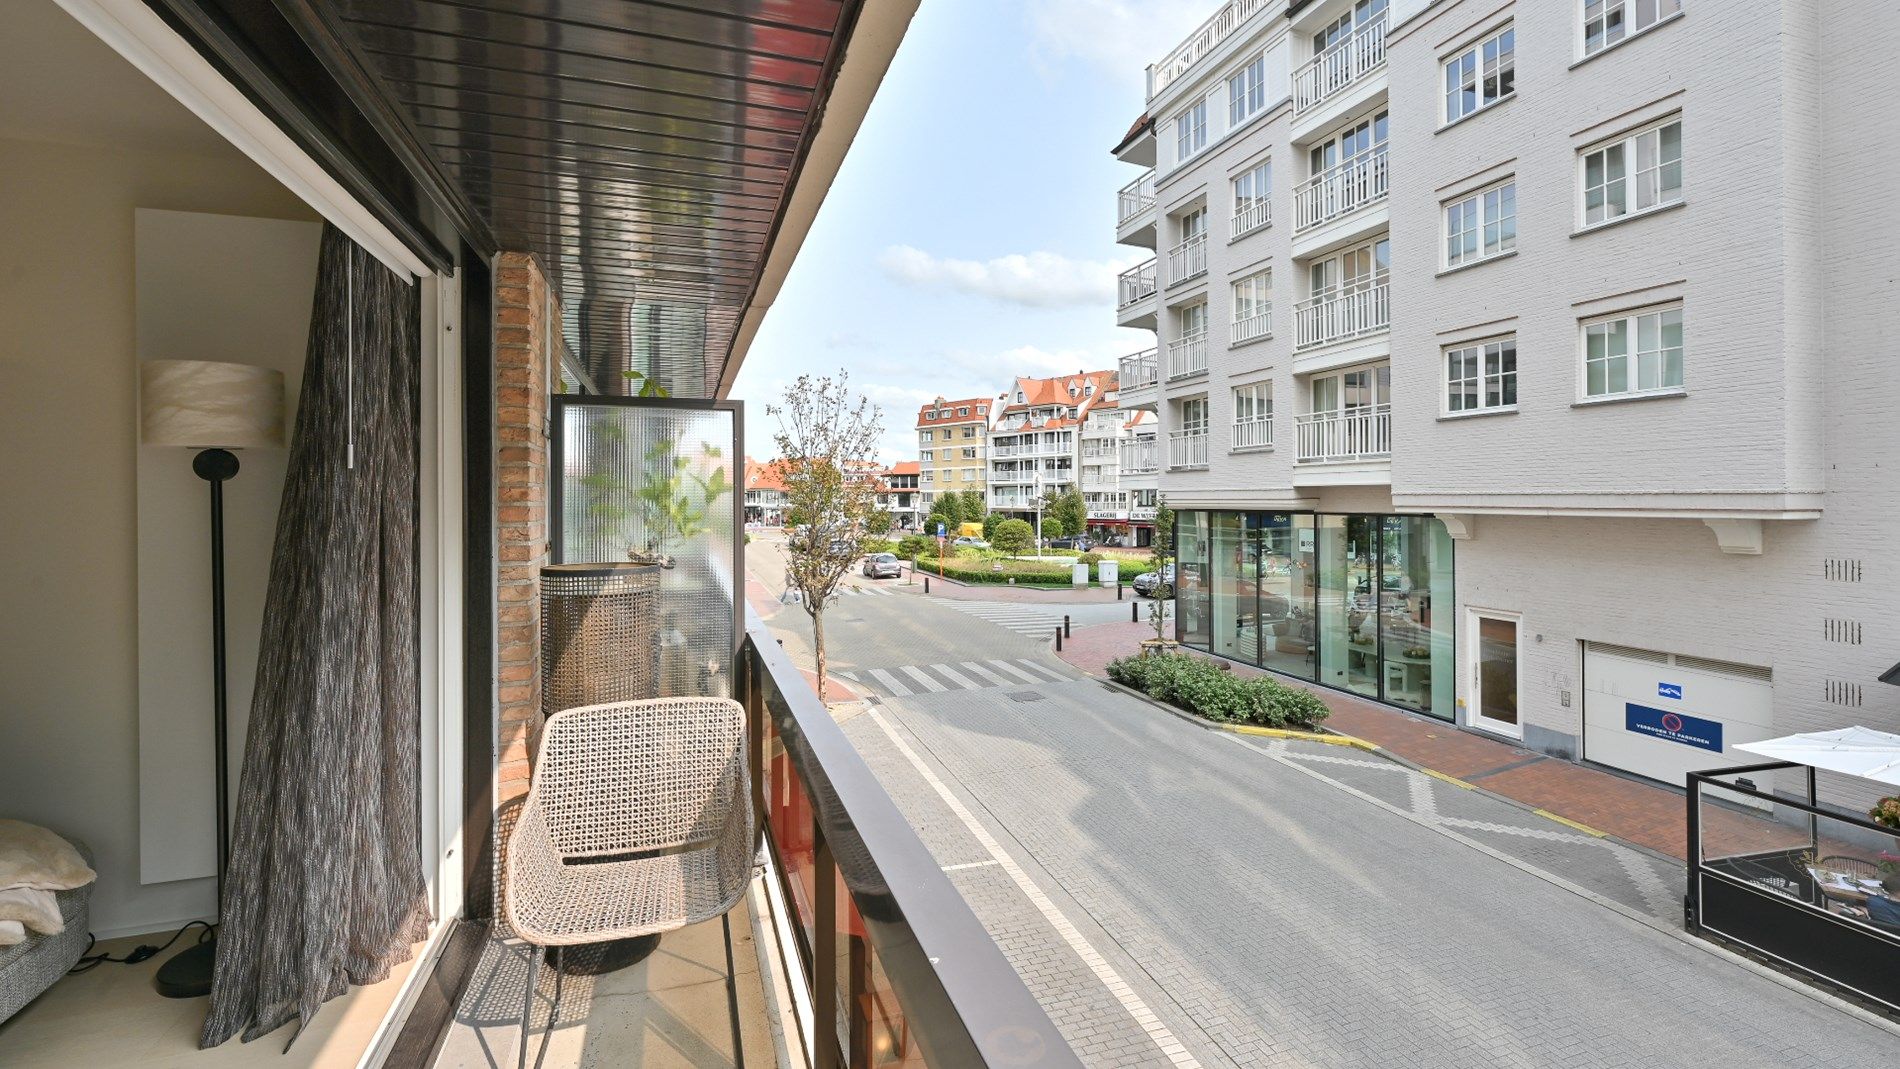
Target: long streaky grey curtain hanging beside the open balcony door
x,y
326,882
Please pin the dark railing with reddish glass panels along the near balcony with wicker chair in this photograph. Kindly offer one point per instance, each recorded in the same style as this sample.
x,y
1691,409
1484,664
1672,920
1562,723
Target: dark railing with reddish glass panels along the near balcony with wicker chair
x,y
892,952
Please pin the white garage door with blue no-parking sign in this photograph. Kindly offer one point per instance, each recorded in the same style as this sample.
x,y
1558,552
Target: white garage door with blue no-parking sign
x,y
1663,717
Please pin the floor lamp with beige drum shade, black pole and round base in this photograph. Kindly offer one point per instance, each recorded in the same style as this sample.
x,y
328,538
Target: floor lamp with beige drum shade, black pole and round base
x,y
212,407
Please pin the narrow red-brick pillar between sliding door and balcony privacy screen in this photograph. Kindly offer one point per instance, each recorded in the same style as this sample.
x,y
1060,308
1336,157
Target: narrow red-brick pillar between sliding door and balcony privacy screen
x,y
522,309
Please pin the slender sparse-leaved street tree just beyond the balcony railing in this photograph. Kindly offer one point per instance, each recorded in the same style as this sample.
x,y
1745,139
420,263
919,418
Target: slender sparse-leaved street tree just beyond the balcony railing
x,y
826,430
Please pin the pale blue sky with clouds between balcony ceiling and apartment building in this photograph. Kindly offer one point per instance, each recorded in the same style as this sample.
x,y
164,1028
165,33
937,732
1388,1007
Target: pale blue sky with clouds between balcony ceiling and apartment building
x,y
970,234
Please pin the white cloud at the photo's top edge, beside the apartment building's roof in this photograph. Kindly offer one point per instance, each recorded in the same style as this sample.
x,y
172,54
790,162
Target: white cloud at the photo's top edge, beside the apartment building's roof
x,y
1122,37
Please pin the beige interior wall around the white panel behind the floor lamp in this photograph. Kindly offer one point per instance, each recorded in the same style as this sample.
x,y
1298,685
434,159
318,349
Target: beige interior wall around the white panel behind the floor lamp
x,y
69,702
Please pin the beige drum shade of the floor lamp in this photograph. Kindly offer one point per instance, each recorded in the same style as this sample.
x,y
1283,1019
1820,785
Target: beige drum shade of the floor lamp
x,y
210,405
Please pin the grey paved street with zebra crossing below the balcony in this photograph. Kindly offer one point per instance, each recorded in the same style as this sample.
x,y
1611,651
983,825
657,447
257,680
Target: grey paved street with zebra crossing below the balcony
x,y
1187,897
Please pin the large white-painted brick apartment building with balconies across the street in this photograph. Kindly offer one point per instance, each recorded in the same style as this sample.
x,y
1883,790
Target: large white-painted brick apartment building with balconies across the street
x,y
1532,364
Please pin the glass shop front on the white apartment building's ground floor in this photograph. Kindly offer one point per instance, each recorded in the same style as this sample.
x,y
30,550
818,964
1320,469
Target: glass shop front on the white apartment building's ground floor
x,y
1361,603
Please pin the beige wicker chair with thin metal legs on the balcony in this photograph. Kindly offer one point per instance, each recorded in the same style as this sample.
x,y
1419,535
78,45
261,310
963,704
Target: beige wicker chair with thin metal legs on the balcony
x,y
639,823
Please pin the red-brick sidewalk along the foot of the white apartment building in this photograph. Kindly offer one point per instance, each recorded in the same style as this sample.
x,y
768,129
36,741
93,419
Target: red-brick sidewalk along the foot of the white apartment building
x,y
1599,800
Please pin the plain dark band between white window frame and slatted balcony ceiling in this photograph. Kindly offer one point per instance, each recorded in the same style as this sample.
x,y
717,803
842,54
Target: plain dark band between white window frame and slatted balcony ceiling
x,y
263,56
